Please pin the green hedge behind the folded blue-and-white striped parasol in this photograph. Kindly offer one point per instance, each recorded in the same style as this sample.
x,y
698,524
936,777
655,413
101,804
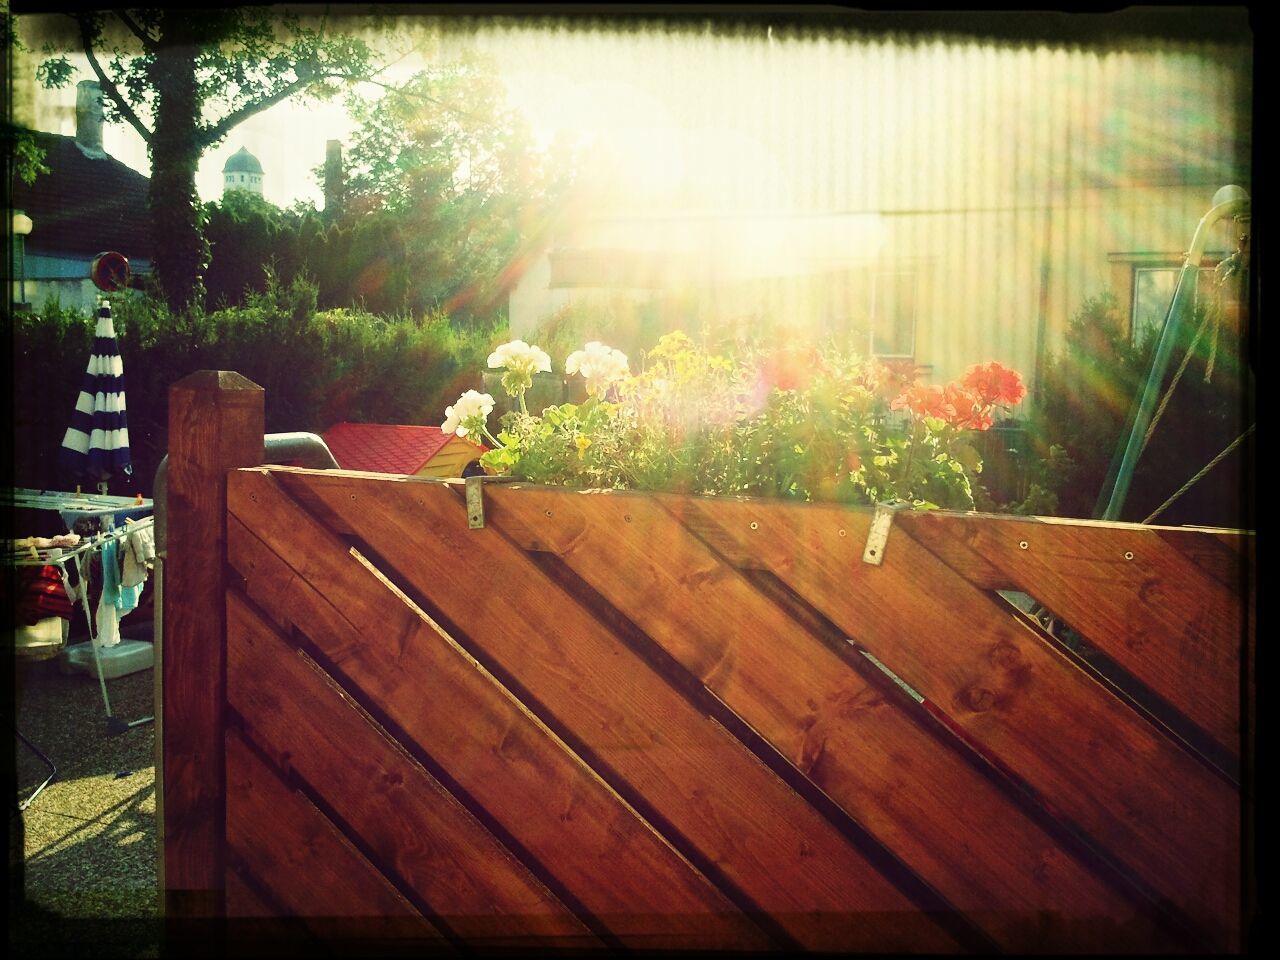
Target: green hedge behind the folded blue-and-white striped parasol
x,y
318,368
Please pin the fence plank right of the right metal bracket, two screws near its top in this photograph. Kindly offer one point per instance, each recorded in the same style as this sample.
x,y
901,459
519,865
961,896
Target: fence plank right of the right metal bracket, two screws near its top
x,y
1127,589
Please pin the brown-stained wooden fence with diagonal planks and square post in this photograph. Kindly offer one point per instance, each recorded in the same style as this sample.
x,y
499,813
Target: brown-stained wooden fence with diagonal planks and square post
x,y
661,723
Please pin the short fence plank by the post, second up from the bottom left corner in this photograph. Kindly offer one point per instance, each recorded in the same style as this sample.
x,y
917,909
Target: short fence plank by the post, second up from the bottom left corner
x,y
312,870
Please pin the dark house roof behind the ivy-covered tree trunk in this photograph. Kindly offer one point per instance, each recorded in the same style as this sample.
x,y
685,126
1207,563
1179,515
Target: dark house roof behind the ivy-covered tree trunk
x,y
83,205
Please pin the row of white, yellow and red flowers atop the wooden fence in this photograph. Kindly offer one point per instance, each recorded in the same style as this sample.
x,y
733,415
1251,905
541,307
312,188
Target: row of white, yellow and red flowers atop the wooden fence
x,y
788,422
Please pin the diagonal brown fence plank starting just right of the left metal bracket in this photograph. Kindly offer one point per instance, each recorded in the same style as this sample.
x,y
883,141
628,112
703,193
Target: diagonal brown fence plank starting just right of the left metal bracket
x,y
921,799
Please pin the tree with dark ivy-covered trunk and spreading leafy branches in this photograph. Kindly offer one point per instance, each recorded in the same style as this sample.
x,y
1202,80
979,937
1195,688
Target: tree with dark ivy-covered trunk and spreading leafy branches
x,y
184,80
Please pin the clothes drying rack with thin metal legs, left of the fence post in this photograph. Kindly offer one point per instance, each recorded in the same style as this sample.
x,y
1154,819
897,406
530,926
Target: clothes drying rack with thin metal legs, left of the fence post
x,y
75,508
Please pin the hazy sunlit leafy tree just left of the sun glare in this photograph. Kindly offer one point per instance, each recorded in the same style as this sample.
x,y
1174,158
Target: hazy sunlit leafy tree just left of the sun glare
x,y
445,158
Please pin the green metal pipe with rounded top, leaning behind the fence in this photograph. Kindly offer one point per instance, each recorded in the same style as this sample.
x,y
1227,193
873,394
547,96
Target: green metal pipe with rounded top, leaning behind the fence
x,y
1235,205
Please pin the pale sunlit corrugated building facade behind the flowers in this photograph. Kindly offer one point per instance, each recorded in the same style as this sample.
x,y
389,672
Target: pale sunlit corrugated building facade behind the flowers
x,y
972,198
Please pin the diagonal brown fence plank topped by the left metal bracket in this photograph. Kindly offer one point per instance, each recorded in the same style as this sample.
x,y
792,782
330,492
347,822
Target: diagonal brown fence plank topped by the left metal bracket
x,y
740,816
